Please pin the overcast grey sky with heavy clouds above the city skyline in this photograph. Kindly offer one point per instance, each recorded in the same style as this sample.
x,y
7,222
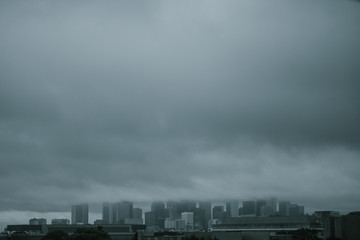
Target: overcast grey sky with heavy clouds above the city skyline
x,y
155,100
